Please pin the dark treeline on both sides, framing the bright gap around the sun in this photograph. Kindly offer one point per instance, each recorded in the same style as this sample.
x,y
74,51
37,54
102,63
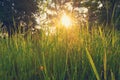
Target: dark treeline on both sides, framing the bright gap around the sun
x,y
12,12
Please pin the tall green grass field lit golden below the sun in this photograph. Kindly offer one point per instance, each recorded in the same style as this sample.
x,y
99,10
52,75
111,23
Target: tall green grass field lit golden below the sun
x,y
70,54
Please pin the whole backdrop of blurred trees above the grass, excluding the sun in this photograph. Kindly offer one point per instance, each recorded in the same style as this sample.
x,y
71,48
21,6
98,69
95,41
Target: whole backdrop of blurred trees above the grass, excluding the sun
x,y
14,12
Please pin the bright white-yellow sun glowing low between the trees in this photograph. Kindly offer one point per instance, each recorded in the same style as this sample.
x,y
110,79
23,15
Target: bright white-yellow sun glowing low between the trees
x,y
66,20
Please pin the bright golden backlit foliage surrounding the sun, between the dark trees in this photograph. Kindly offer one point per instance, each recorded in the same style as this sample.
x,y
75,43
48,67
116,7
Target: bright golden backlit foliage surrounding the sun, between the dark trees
x,y
50,13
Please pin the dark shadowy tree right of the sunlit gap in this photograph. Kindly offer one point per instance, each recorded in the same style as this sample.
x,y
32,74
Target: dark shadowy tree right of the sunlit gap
x,y
105,12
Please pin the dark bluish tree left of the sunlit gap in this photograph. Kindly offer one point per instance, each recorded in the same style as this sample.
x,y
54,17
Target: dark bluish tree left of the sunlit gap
x,y
14,11
